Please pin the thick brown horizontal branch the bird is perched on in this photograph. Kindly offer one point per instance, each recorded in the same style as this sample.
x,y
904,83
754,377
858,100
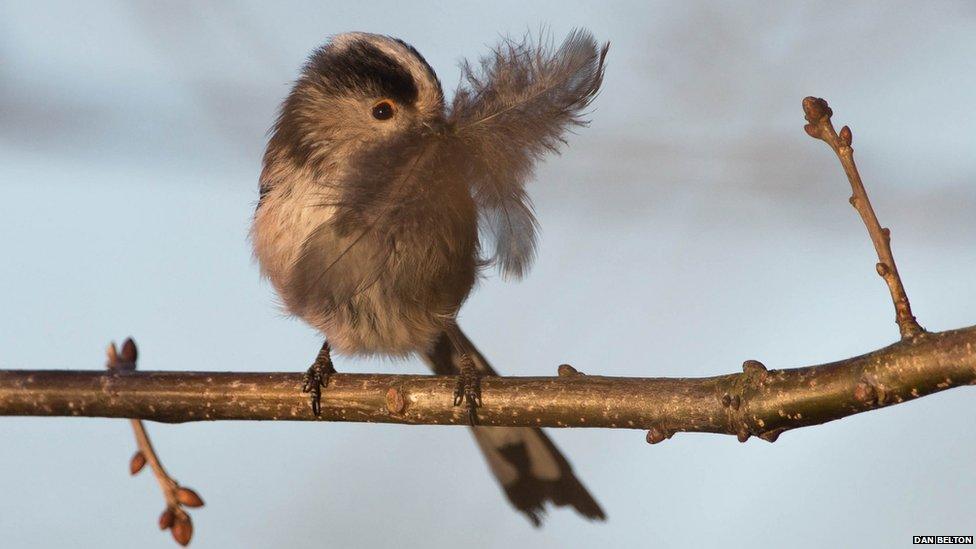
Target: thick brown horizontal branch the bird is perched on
x,y
753,402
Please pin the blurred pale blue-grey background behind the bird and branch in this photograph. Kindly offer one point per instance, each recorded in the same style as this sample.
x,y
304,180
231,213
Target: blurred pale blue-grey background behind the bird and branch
x,y
694,225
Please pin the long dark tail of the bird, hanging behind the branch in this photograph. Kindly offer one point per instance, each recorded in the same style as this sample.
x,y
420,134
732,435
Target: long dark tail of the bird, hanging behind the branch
x,y
526,463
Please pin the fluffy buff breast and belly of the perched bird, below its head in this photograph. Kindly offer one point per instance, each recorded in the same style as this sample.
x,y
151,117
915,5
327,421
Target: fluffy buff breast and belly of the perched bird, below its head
x,y
383,283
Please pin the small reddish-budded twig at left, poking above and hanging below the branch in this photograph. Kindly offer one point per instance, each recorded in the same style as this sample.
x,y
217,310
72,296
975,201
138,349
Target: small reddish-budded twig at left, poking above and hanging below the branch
x,y
174,517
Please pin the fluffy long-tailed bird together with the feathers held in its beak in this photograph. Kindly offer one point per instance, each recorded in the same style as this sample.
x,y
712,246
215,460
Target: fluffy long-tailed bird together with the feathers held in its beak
x,y
381,205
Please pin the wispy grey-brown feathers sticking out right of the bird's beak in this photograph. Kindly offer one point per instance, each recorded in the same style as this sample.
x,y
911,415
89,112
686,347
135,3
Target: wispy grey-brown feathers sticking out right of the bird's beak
x,y
513,107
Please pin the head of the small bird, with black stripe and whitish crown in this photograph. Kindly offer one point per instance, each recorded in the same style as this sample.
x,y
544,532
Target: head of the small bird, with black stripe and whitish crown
x,y
358,89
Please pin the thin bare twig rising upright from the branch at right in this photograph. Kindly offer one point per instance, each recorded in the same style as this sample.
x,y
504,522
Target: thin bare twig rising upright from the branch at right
x,y
819,126
